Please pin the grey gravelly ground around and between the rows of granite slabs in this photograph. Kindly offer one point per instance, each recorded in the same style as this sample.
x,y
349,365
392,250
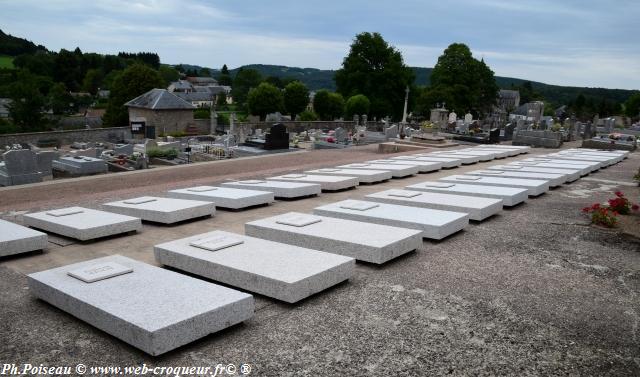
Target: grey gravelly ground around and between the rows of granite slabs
x,y
534,290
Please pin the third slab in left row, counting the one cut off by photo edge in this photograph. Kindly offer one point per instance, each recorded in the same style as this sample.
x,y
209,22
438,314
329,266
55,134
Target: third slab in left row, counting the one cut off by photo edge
x,y
162,210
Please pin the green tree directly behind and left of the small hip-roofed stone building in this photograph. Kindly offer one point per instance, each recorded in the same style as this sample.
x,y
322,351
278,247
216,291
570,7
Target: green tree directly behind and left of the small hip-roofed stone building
x,y
134,81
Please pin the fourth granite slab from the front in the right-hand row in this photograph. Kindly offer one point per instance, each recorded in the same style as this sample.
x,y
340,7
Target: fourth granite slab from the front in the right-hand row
x,y
434,224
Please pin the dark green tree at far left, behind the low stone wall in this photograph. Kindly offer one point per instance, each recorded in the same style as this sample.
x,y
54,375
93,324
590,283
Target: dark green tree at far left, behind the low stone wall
x,y
27,103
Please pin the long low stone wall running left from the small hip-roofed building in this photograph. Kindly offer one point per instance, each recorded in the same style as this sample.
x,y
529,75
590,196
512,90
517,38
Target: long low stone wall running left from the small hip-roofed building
x,y
115,134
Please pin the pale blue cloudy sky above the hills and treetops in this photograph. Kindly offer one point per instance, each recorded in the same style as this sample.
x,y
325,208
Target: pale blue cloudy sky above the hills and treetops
x,y
565,42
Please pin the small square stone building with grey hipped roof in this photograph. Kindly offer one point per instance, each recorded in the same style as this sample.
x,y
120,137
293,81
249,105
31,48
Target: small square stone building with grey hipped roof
x,y
159,112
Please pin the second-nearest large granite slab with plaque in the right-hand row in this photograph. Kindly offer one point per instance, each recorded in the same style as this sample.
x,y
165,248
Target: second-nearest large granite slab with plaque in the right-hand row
x,y
284,272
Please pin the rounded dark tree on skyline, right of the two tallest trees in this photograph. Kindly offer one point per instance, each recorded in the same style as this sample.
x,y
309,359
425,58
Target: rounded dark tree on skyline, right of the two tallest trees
x,y
467,84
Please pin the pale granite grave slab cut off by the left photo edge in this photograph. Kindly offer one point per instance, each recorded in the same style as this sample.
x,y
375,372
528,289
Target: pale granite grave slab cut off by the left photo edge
x,y
17,239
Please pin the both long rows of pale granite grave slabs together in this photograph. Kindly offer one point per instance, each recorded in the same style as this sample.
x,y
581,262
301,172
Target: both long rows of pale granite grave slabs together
x,y
287,257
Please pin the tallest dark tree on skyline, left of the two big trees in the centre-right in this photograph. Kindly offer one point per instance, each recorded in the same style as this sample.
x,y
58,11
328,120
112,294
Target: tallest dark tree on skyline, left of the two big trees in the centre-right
x,y
376,70
